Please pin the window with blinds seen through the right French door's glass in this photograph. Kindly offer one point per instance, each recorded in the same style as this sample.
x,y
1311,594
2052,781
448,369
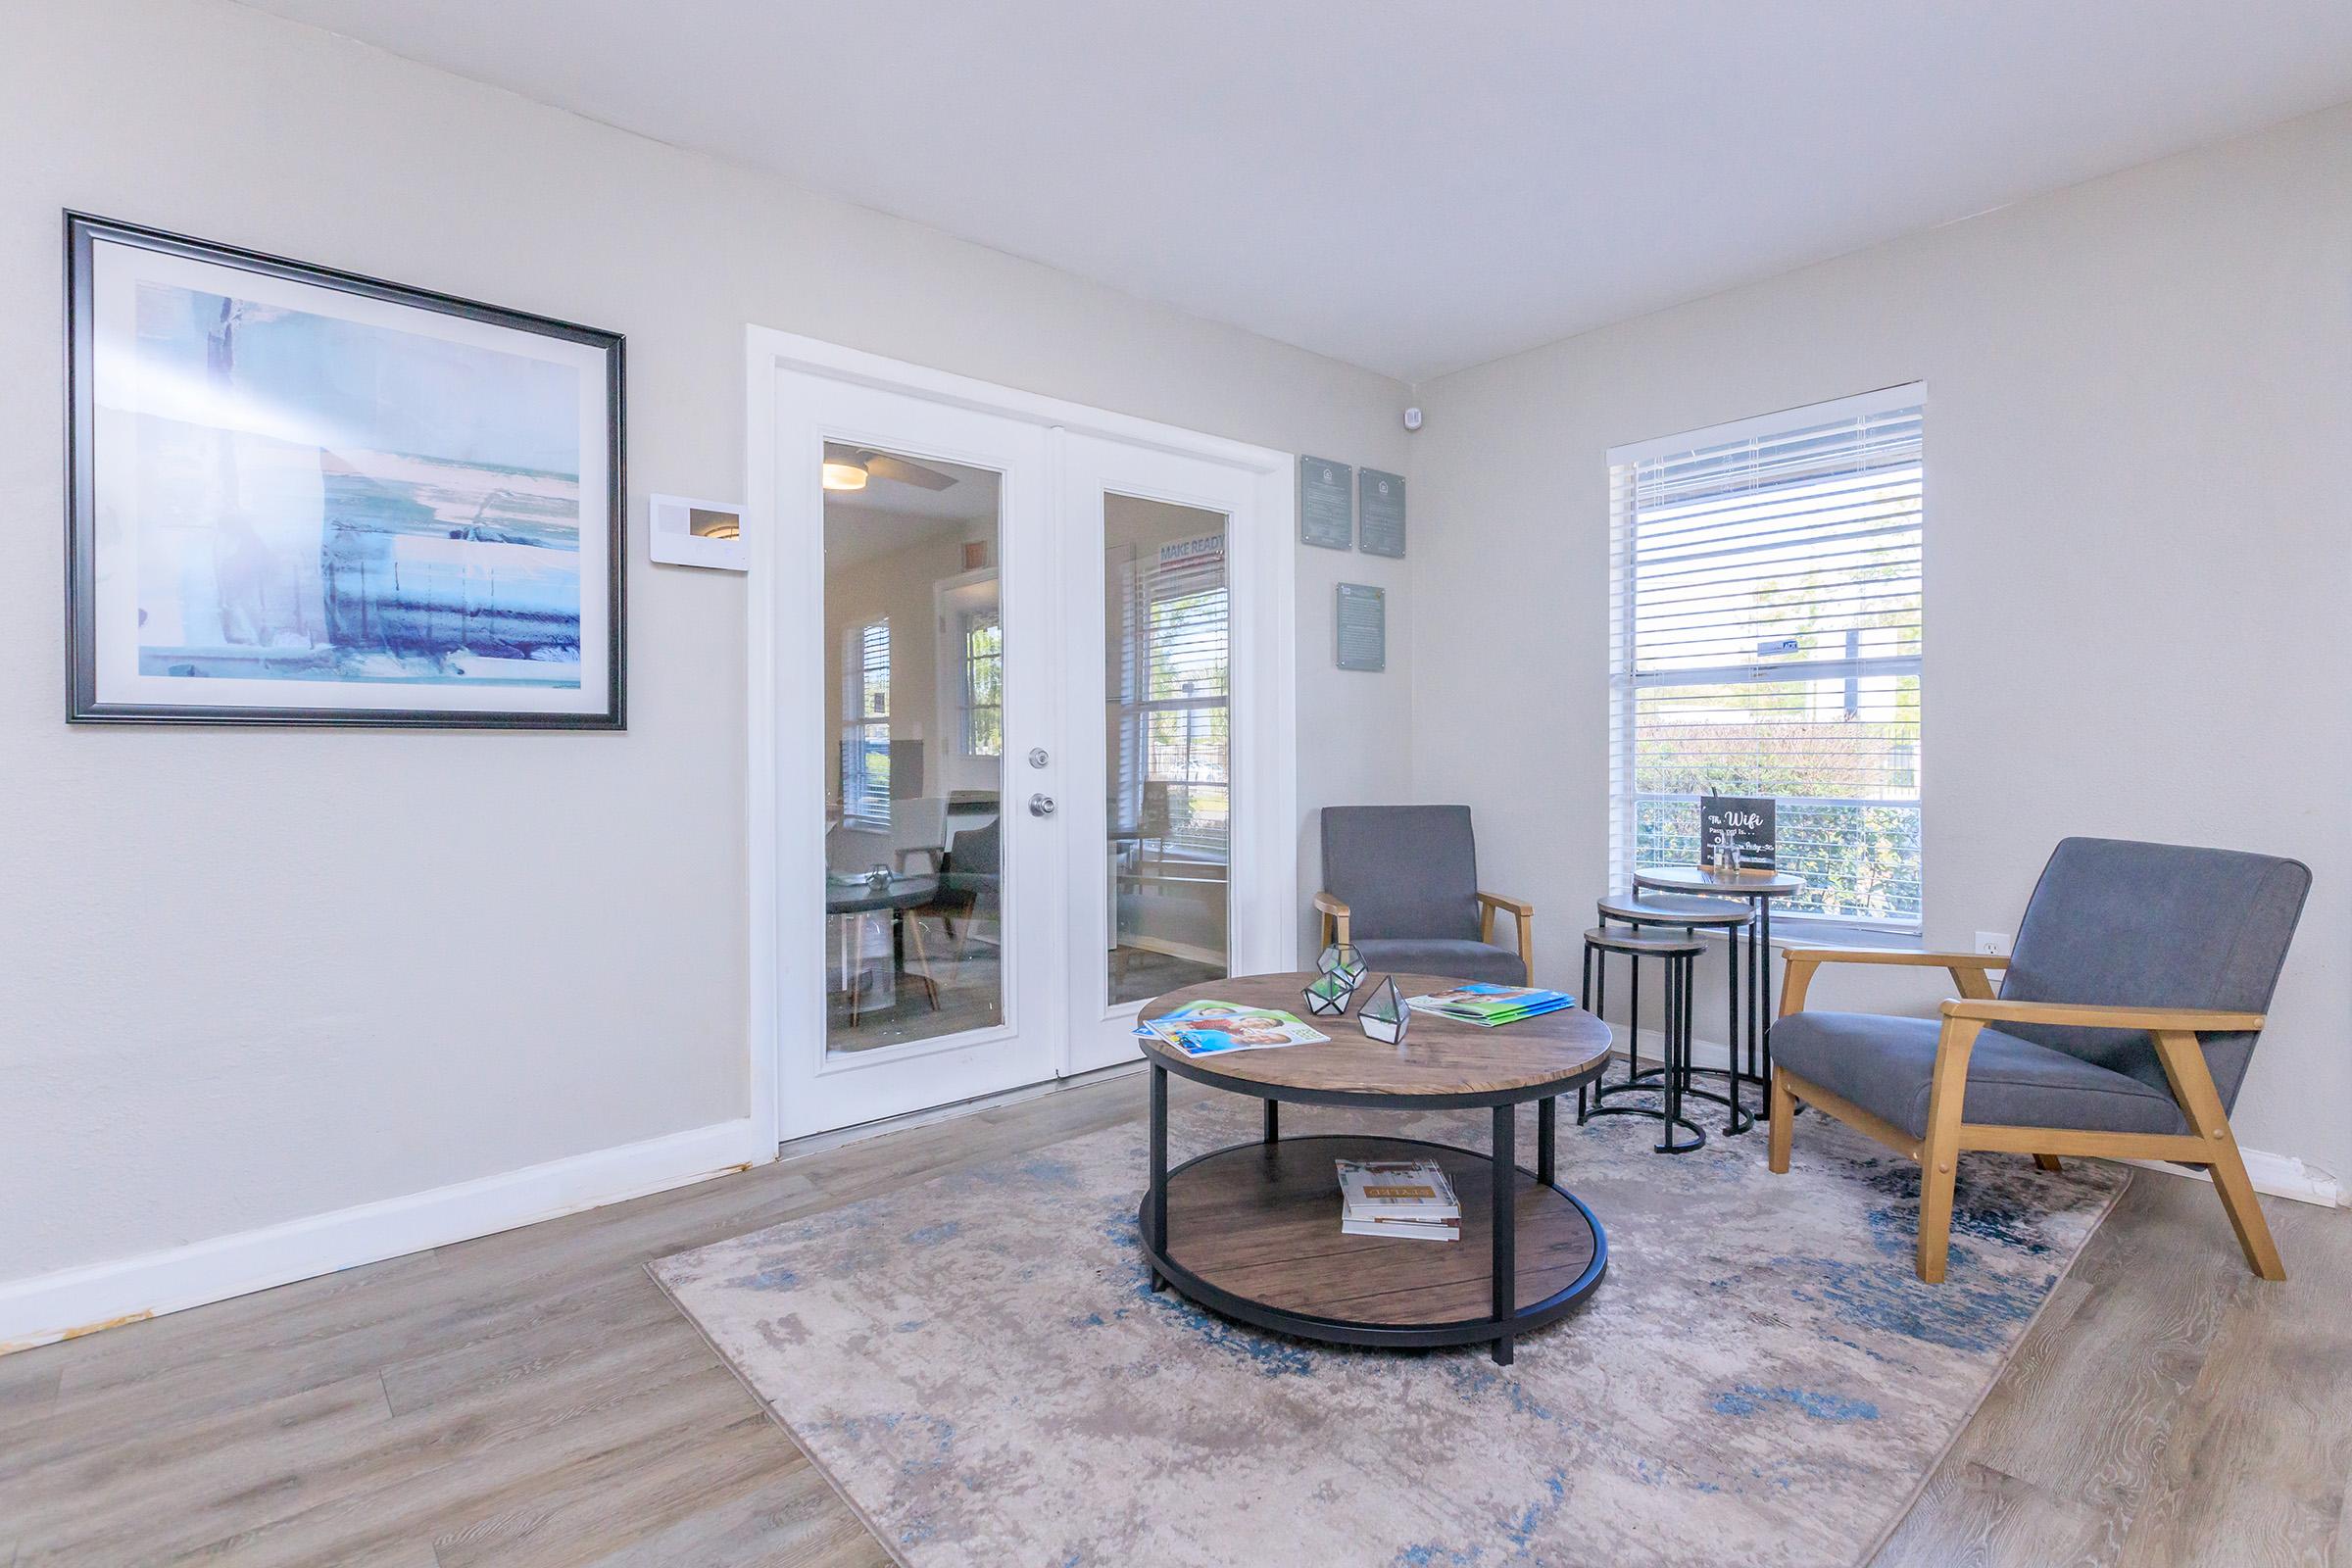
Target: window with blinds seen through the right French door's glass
x,y
1170,678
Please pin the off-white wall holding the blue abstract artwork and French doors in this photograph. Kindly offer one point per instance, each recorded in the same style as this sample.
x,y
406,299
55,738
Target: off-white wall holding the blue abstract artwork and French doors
x,y
269,974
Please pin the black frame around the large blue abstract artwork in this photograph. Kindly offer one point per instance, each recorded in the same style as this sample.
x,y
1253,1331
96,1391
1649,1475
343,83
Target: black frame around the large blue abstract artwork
x,y
83,706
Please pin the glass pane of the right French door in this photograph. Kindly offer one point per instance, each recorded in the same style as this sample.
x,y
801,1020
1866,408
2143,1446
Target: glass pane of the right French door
x,y
1165,746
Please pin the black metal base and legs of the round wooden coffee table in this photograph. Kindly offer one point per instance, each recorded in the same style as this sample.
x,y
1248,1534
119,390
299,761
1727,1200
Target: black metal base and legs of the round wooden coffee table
x,y
1506,1320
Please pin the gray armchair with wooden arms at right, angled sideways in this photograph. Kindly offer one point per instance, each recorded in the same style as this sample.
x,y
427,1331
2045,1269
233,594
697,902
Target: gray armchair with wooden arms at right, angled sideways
x,y
2123,1028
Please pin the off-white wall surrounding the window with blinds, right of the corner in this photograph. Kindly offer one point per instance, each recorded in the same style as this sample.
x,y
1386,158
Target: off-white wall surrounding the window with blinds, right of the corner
x,y
2137,570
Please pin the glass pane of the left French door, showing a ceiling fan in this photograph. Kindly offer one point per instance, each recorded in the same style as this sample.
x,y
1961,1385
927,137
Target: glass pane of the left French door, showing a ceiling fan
x,y
914,742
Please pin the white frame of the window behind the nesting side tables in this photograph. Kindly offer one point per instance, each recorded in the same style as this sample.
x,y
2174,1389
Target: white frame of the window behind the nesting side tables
x,y
1626,683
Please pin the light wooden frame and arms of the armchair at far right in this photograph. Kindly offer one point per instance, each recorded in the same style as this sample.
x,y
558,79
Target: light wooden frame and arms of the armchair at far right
x,y
2210,1141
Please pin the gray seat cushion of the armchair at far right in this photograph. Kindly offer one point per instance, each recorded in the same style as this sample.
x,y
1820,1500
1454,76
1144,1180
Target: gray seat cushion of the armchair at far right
x,y
1885,1066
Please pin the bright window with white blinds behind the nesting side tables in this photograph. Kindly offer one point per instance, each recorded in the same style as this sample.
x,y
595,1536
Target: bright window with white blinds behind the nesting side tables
x,y
1768,641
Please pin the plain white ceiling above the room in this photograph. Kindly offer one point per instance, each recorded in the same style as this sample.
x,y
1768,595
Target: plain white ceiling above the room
x,y
1408,185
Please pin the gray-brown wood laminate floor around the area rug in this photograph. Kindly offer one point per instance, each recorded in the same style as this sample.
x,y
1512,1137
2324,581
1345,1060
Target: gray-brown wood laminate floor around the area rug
x,y
535,1400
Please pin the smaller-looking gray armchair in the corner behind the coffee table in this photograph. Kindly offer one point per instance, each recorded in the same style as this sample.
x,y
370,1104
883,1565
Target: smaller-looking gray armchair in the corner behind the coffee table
x,y
1401,883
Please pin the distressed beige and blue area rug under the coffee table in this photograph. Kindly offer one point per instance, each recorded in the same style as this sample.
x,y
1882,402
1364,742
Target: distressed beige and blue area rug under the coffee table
x,y
982,1369
